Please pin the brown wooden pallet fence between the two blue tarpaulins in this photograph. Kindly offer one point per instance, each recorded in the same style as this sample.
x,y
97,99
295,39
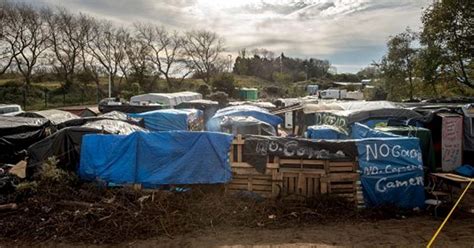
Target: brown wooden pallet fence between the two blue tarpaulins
x,y
295,178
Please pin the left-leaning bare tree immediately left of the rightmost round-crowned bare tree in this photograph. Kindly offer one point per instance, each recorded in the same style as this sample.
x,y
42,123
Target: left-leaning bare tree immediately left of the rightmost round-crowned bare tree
x,y
166,51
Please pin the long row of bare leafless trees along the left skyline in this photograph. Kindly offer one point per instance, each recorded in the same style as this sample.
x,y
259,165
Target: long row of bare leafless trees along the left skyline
x,y
79,49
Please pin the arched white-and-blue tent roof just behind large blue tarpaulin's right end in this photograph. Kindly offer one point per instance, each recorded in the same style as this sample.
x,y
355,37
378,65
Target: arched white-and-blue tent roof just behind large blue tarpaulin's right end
x,y
243,110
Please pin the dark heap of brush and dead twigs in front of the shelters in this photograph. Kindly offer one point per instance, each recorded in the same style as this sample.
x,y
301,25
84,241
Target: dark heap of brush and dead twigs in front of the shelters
x,y
57,206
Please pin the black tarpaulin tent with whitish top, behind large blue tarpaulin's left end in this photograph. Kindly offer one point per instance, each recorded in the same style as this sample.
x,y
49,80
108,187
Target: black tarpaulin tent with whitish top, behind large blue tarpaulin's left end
x,y
66,143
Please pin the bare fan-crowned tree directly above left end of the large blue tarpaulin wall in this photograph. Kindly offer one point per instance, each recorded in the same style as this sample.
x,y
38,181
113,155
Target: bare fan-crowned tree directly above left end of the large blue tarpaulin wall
x,y
105,45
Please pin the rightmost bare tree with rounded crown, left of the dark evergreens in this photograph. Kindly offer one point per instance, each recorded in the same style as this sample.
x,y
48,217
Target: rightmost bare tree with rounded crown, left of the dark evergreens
x,y
202,50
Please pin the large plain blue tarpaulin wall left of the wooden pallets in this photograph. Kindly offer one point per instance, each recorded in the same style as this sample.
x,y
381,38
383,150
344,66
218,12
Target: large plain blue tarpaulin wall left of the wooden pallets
x,y
157,158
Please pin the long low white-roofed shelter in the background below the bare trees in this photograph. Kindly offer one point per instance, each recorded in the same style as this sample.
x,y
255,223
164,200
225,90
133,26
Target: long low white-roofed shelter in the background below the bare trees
x,y
168,99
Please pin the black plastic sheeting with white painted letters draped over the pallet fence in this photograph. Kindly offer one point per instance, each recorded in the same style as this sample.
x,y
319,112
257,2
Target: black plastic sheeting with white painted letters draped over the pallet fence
x,y
257,148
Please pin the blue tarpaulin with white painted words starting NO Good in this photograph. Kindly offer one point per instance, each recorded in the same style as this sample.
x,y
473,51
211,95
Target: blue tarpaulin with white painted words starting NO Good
x,y
391,172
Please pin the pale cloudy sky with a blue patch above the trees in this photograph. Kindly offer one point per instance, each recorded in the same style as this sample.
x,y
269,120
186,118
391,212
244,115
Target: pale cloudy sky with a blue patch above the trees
x,y
349,33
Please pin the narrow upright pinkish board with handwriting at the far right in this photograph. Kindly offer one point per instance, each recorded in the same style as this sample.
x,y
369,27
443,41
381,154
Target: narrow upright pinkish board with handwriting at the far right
x,y
451,142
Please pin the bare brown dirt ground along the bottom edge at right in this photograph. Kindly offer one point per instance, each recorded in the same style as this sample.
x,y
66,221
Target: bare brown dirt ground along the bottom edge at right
x,y
410,232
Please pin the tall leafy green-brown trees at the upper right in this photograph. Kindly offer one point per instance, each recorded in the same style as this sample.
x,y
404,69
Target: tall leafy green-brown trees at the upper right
x,y
440,55
